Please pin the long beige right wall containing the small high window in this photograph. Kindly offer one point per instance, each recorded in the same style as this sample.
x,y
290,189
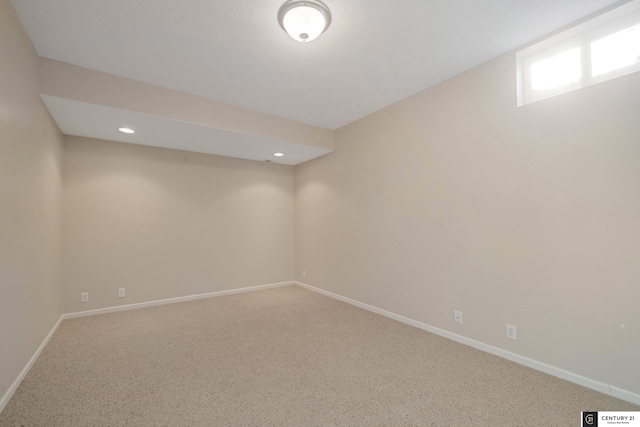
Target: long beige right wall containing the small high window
x,y
454,199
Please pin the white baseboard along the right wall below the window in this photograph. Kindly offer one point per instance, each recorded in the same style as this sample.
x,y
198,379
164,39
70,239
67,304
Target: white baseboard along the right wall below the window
x,y
534,364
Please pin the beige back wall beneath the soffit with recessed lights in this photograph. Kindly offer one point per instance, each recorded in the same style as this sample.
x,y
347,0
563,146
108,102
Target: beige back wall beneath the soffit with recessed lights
x,y
166,223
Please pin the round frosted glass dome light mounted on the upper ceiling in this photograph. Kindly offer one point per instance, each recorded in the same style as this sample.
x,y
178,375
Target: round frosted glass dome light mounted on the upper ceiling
x,y
304,20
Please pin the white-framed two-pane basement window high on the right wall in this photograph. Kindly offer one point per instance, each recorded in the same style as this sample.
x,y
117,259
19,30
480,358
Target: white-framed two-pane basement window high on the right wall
x,y
597,50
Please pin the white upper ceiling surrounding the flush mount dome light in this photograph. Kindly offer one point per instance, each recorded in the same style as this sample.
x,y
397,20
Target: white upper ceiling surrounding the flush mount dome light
x,y
375,52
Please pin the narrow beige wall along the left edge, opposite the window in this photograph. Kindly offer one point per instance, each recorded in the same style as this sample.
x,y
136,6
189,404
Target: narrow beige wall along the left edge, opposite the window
x,y
30,191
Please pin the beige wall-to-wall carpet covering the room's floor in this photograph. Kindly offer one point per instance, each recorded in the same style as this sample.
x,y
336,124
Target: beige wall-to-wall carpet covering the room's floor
x,y
280,357
